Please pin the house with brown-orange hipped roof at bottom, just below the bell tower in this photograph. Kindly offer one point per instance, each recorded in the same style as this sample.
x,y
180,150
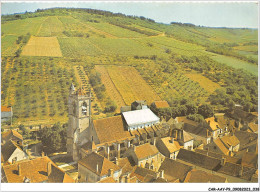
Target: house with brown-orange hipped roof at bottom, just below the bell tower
x,y
94,167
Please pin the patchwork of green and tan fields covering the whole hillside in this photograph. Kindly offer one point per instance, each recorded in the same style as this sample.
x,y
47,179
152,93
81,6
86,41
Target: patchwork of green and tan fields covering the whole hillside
x,y
133,65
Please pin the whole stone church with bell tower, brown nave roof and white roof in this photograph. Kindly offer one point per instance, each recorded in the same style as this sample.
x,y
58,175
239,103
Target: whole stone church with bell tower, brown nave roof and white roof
x,y
112,136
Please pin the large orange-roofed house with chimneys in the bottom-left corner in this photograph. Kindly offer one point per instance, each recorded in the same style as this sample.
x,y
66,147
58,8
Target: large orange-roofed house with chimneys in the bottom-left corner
x,y
39,170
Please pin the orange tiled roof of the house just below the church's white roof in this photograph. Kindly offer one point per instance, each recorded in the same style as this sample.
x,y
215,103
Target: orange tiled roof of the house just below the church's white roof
x,y
145,150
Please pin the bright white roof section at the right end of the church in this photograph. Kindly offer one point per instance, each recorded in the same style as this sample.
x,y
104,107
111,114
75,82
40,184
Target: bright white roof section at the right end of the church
x,y
139,117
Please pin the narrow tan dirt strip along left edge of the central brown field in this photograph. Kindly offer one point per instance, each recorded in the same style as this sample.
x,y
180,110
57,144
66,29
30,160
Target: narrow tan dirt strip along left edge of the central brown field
x,y
110,87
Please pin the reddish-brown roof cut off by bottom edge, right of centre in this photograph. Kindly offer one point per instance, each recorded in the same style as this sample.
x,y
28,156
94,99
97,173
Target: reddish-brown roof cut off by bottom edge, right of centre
x,y
198,176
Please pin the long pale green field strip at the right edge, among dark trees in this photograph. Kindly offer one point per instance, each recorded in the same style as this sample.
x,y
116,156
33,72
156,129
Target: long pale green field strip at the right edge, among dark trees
x,y
236,63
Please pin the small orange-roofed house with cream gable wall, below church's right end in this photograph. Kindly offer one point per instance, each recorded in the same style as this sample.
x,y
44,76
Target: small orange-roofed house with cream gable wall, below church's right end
x,y
168,147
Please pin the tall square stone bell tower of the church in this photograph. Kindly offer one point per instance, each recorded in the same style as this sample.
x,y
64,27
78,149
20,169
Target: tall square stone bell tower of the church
x,y
79,105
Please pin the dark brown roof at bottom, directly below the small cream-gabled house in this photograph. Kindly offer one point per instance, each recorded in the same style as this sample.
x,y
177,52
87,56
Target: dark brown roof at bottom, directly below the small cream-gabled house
x,y
174,170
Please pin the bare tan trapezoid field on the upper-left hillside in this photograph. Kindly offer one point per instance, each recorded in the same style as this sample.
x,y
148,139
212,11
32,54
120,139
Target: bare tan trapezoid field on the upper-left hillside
x,y
42,46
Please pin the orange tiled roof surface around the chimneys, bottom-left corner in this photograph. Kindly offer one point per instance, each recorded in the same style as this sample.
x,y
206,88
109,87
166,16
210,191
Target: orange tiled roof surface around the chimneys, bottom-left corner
x,y
35,170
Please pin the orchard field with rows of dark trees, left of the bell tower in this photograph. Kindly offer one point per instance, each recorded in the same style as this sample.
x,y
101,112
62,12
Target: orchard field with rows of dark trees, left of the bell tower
x,y
36,88
